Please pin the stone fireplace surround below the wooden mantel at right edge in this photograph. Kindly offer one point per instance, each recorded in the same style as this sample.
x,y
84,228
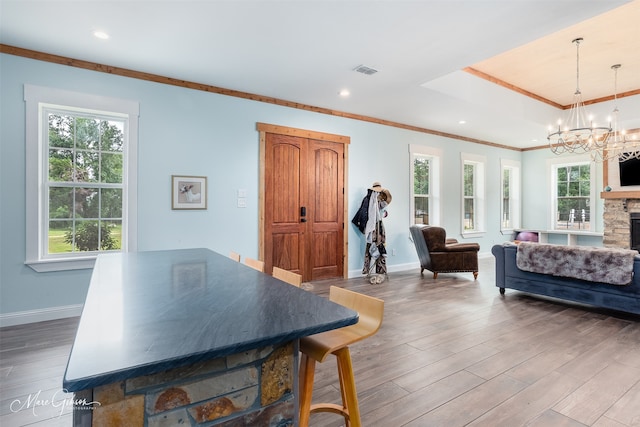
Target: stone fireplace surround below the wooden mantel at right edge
x,y
617,222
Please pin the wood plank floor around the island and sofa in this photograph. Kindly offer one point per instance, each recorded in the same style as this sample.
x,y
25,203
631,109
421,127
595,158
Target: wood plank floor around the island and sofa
x,y
451,352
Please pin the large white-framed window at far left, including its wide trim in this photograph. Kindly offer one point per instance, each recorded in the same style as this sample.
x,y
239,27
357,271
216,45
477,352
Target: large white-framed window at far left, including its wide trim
x,y
81,177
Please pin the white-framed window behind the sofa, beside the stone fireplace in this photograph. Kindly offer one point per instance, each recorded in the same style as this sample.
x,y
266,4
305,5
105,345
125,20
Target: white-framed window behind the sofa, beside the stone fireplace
x,y
574,195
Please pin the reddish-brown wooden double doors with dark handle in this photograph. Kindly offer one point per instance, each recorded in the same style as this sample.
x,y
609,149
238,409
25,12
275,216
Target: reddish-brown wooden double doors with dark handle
x,y
303,206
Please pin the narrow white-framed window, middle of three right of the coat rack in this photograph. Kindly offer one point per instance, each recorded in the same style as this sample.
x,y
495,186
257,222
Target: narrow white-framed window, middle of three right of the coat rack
x,y
473,194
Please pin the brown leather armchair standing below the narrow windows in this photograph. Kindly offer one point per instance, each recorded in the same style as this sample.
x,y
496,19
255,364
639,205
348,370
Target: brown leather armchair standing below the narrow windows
x,y
441,255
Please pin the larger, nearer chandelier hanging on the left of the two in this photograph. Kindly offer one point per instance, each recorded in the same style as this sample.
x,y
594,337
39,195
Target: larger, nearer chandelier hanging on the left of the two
x,y
585,136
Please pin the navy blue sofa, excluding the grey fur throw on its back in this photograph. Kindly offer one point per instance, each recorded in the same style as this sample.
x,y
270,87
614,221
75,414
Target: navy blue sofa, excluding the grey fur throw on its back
x,y
622,298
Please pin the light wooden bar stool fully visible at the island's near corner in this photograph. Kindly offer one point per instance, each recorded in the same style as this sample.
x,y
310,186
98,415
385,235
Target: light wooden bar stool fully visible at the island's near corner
x,y
316,348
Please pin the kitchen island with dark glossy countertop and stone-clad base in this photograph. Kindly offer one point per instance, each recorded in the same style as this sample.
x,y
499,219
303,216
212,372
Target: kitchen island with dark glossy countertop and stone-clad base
x,y
191,337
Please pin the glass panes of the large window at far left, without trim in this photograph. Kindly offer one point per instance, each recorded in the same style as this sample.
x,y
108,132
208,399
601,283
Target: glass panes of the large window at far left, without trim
x,y
85,185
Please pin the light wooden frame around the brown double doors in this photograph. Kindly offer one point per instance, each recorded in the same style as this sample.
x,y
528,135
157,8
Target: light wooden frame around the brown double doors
x,y
264,129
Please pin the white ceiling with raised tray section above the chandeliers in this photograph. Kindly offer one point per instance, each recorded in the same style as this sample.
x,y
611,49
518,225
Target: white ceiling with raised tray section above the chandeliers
x,y
305,51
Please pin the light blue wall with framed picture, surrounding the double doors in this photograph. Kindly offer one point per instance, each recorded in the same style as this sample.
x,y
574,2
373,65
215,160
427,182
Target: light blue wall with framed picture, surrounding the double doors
x,y
190,132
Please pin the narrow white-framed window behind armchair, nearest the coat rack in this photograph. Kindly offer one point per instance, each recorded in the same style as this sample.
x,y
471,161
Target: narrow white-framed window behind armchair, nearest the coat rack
x,y
425,184
